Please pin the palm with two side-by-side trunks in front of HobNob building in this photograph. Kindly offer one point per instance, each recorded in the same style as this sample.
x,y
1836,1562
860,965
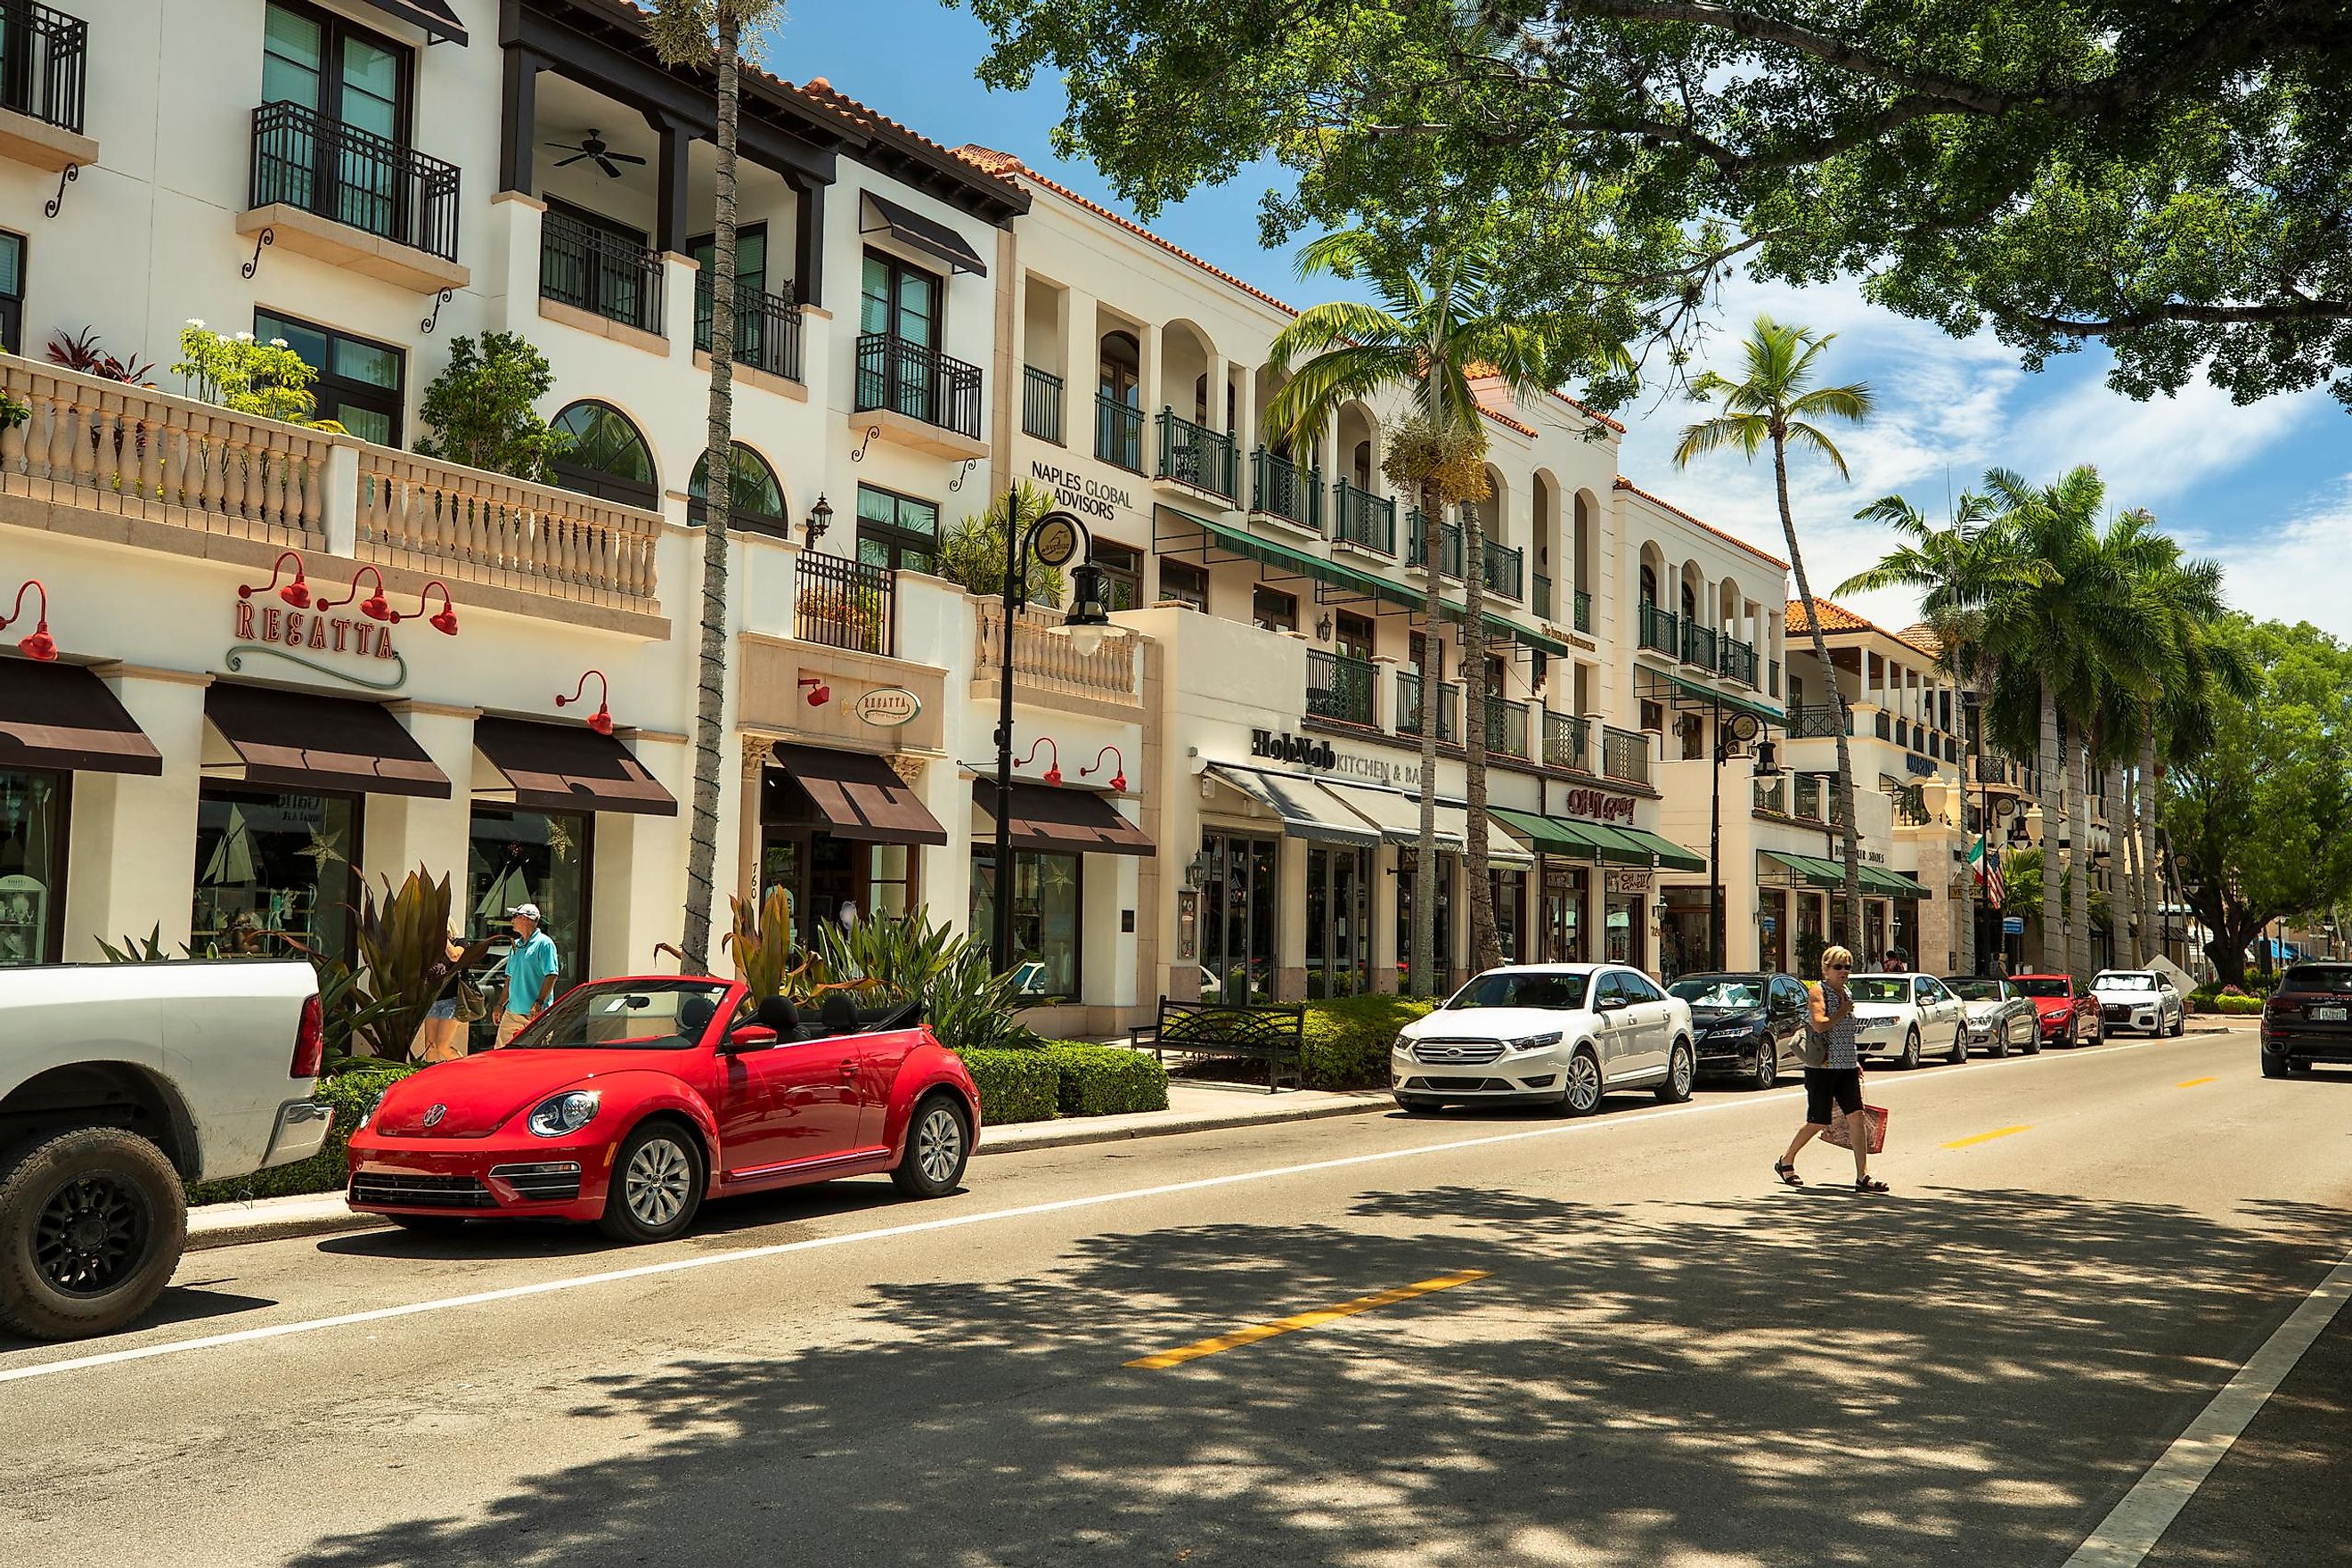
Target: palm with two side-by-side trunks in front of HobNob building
x,y
1438,319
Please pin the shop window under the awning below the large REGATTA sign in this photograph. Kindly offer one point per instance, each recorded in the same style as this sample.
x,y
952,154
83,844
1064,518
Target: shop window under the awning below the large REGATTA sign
x,y
274,869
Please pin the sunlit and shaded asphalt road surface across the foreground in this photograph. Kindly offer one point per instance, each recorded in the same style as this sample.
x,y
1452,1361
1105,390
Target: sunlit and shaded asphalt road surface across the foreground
x,y
1631,1346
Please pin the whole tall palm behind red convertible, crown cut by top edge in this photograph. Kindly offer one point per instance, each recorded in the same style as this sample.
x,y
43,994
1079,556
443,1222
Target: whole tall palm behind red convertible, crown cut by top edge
x,y
711,34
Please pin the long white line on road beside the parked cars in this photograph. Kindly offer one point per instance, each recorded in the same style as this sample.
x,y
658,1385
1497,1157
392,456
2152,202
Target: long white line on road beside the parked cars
x,y
780,1249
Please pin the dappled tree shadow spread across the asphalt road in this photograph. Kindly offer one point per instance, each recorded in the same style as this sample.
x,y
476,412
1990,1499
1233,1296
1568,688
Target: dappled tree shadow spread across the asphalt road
x,y
1949,1379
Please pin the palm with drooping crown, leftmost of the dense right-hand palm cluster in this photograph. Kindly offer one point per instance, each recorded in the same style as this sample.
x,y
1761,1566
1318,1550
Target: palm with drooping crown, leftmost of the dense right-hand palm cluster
x,y
1960,570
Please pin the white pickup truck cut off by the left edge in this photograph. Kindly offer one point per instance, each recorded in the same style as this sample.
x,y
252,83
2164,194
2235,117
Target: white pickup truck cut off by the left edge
x,y
116,1085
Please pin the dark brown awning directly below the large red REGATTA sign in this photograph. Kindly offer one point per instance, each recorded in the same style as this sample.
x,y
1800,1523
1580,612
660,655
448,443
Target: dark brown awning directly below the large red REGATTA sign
x,y
307,742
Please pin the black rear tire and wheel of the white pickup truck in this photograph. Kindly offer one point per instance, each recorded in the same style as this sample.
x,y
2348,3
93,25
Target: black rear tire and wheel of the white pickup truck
x,y
91,1231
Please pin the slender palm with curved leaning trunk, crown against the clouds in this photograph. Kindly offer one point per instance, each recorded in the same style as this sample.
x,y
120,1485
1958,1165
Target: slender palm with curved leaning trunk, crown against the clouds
x,y
1775,403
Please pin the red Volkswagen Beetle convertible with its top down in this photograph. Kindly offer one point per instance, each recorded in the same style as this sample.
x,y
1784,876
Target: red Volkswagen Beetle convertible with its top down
x,y
632,1101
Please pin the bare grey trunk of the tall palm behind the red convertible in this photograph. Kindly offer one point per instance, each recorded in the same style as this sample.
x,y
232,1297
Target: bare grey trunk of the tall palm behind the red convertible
x,y
719,504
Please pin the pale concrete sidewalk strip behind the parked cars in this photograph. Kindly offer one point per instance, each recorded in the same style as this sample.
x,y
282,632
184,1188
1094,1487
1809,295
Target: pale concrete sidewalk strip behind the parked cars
x,y
1194,1108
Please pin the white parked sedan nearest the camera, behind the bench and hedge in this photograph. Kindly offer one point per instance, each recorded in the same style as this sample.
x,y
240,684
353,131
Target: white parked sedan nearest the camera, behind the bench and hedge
x,y
1546,1036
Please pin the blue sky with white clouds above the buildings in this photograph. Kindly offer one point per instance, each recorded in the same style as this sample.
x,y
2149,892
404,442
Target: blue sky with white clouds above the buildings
x,y
2266,490
